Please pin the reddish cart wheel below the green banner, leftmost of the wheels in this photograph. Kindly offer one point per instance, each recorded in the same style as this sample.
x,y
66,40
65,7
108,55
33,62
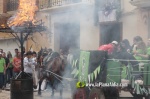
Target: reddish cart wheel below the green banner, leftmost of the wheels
x,y
80,94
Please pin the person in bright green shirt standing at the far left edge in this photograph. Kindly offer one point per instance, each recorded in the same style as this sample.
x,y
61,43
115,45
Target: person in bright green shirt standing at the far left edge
x,y
2,71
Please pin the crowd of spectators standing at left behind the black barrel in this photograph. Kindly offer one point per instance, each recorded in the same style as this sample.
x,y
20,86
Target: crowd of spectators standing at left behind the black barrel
x,y
10,66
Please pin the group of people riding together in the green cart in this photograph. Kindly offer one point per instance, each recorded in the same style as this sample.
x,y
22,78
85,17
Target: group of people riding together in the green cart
x,y
139,50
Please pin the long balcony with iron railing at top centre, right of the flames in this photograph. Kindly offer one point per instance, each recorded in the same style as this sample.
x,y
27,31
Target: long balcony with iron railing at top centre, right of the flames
x,y
53,3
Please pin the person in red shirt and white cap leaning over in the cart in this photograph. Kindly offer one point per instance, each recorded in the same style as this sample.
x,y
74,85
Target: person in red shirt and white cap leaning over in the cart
x,y
109,47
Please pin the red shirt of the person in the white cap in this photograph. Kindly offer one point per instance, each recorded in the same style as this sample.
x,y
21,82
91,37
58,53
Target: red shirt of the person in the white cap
x,y
107,47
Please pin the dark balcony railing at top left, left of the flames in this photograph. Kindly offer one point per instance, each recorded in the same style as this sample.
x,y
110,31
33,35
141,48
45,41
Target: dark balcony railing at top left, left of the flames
x,y
12,5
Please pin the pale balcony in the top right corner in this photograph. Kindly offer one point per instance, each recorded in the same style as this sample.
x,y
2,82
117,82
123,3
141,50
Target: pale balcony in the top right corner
x,y
140,3
